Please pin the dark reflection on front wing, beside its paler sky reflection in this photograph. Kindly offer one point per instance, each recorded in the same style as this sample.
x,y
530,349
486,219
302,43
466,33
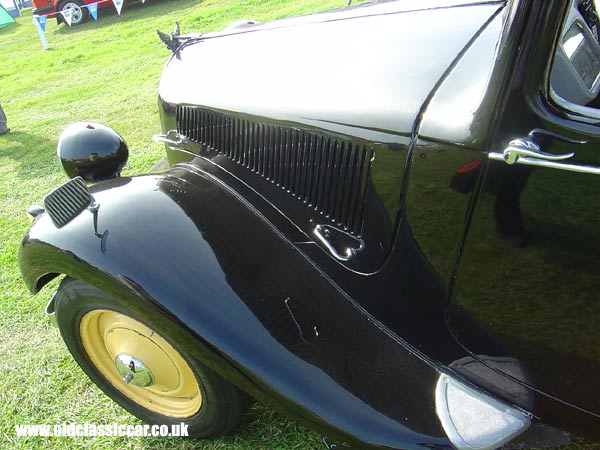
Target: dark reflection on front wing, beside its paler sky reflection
x,y
304,314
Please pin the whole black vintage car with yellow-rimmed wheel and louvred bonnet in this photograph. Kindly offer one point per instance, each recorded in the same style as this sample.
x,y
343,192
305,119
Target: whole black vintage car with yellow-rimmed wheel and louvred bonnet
x,y
382,221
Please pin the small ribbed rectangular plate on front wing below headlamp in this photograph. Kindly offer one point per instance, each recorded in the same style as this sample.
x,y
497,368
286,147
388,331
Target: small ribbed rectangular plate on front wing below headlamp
x,y
65,202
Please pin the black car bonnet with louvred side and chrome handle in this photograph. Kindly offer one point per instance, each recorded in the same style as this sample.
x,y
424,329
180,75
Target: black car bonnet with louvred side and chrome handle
x,y
322,104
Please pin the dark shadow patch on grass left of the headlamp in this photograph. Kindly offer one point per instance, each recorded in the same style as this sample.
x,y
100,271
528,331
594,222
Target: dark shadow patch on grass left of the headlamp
x,y
33,153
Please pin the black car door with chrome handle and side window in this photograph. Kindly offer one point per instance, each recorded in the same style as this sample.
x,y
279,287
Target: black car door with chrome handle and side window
x,y
531,258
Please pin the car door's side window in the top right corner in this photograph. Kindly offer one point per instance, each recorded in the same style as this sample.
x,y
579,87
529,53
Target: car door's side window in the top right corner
x,y
575,77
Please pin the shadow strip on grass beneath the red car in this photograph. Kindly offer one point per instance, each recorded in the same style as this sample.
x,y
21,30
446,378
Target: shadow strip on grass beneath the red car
x,y
131,11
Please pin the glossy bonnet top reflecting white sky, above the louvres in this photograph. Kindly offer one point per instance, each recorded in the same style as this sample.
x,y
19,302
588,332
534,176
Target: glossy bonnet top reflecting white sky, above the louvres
x,y
321,89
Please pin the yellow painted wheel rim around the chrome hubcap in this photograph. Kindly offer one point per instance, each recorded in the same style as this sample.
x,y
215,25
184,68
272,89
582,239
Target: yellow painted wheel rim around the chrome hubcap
x,y
174,391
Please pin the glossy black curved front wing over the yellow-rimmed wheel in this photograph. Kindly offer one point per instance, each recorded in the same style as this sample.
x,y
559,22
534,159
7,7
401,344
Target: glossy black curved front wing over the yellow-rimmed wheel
x,y
187,253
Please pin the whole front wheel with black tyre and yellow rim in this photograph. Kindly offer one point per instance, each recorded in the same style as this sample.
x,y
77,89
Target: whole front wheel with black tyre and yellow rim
x,y
141,369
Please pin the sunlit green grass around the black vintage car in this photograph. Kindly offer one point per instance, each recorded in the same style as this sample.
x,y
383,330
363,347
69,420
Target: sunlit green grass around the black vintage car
x,y
105,71
